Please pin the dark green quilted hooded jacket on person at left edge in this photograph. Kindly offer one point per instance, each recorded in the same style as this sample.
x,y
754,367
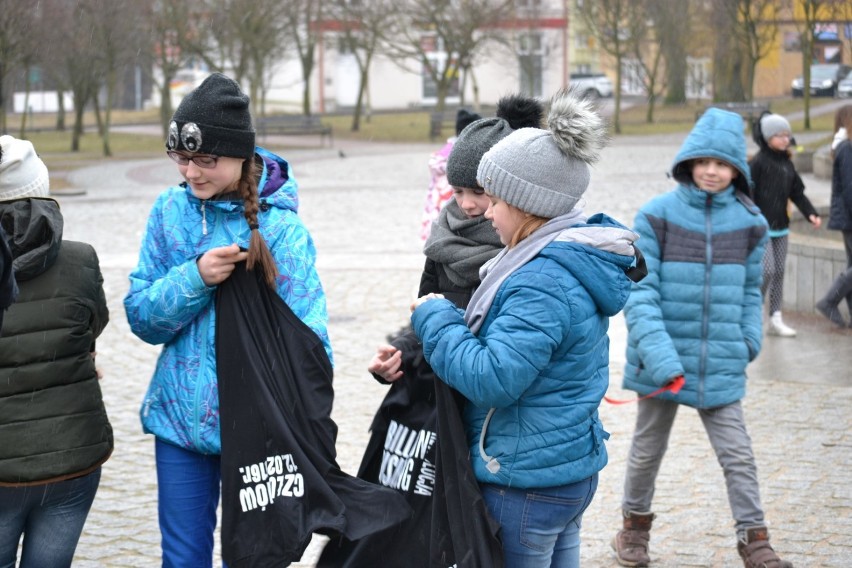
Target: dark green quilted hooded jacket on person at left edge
x,y
53,423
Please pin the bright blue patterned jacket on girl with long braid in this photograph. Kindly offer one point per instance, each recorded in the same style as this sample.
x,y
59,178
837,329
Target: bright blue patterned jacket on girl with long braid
x,y
168,302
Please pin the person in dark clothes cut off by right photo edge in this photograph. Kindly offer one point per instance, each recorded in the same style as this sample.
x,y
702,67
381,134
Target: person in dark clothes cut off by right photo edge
x,y
840,218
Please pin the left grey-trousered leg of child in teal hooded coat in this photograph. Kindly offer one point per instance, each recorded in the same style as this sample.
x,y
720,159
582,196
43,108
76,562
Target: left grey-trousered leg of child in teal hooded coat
x,y
654,421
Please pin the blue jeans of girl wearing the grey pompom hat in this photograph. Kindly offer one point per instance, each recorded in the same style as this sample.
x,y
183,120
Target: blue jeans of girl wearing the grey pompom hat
x,y
540,527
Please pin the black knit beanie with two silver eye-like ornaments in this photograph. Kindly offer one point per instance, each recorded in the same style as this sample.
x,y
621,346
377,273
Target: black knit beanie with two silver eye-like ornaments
x,y
213,119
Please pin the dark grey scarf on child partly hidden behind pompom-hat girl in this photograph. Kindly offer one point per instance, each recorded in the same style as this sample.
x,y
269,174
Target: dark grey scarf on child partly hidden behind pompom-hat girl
x,y
461,244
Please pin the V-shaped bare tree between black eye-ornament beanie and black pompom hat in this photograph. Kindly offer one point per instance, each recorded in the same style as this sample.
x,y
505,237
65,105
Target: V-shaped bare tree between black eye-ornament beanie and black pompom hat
x,y
362,27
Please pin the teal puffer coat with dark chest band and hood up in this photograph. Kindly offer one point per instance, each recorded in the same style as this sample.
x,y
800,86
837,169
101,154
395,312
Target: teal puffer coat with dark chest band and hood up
x,y
698,312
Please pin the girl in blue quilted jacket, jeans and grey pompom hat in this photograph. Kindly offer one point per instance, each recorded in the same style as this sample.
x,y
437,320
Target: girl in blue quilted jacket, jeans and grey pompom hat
x,y
531,353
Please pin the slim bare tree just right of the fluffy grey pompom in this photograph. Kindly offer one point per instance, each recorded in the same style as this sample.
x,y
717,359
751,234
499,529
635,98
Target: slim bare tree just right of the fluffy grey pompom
x,y
609,21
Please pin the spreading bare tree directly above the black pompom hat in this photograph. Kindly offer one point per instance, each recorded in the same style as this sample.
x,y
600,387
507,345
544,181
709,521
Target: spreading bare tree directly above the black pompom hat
x,y
444,36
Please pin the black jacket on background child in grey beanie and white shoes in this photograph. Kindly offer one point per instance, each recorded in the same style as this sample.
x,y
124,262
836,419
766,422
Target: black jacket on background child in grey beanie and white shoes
x,y
775,183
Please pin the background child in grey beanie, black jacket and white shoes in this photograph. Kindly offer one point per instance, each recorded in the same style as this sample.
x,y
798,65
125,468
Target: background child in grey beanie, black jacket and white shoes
x,y
776,183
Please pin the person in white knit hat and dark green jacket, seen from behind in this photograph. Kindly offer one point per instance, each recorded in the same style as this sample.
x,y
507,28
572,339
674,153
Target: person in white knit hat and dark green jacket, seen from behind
x,y
54,430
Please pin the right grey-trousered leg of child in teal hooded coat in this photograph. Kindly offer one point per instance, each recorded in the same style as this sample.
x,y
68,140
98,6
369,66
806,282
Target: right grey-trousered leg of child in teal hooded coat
x,y
726,429
